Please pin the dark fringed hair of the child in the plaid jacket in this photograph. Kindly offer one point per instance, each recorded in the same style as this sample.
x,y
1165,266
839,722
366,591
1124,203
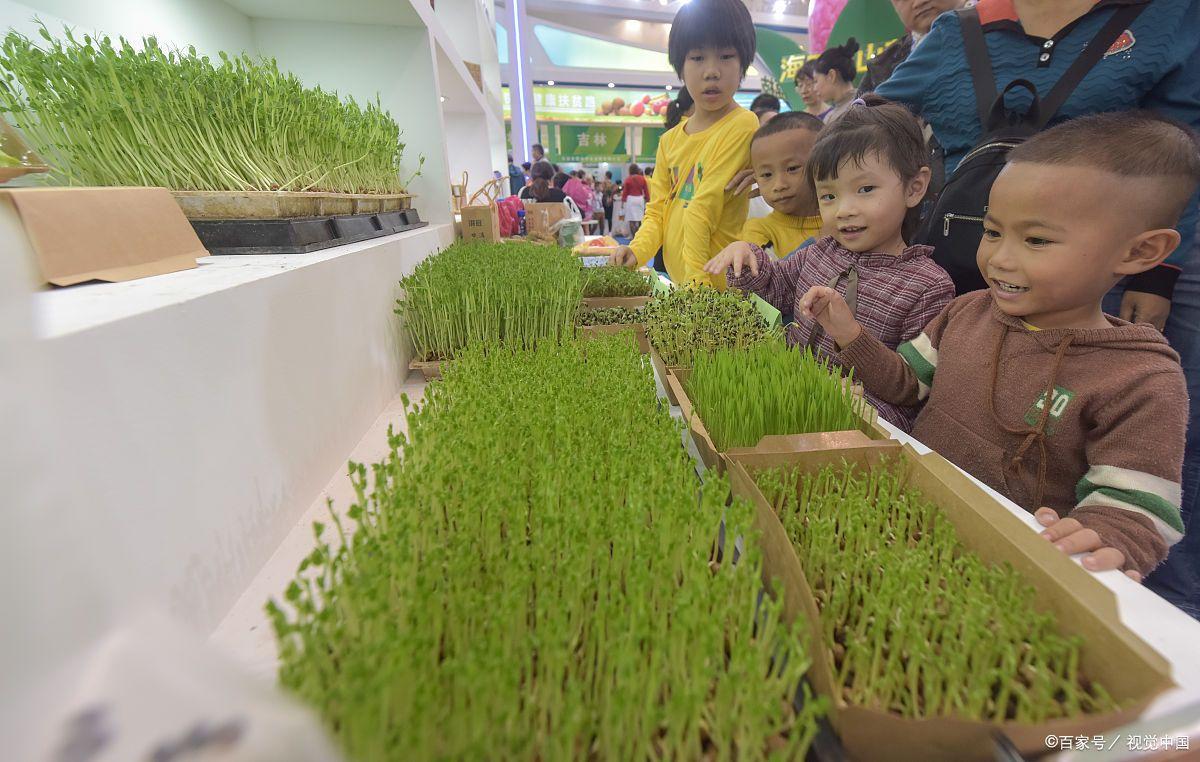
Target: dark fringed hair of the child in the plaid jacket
x,y
872,127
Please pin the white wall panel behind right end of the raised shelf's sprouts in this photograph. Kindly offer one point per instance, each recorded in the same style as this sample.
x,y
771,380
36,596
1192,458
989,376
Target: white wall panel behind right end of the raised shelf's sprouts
x,y
359,61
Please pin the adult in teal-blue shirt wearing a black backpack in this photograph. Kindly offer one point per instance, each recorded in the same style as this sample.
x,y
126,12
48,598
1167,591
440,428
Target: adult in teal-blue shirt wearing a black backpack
x,y
1155,65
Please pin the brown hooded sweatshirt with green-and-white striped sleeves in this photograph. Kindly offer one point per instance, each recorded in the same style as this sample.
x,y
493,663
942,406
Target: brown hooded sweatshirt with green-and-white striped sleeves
x,y
1108,449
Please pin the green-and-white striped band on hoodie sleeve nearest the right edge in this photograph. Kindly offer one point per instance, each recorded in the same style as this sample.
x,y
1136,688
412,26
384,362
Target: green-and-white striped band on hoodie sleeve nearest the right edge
x,y
1138,493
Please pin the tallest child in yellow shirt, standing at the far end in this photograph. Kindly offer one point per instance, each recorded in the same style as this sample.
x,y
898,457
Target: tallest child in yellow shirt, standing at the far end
x,y
689,217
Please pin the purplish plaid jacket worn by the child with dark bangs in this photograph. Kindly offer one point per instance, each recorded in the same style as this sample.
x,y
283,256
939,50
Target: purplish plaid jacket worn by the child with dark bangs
x,y
897,297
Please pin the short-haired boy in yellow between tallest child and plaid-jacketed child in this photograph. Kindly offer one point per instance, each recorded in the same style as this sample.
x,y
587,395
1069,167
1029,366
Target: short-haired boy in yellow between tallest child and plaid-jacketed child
x,y
779,152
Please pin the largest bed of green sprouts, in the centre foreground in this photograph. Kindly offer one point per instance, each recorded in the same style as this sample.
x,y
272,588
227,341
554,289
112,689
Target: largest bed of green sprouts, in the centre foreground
x,y
530,578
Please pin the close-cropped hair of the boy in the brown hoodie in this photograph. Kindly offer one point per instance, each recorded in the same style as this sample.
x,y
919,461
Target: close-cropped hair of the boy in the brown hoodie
x,y
1129,145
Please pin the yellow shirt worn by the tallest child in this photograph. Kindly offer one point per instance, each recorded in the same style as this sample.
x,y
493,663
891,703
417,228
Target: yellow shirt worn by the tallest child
x,y
691,217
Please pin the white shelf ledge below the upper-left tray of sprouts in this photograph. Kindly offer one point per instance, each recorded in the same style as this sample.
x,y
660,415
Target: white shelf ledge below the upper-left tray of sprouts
x,y
194,417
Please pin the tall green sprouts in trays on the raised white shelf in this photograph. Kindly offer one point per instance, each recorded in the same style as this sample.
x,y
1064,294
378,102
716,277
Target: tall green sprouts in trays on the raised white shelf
x,y
109,113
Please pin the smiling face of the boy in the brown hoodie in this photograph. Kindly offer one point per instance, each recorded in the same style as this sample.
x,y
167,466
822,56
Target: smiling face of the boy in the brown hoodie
x,y
1055,242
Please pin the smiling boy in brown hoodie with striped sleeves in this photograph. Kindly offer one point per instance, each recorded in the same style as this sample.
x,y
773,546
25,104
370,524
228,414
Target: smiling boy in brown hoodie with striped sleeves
x,y
1073,415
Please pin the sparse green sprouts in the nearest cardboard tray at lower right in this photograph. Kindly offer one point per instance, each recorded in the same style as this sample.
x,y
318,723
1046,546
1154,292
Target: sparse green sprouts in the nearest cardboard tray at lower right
x,y
917,625
